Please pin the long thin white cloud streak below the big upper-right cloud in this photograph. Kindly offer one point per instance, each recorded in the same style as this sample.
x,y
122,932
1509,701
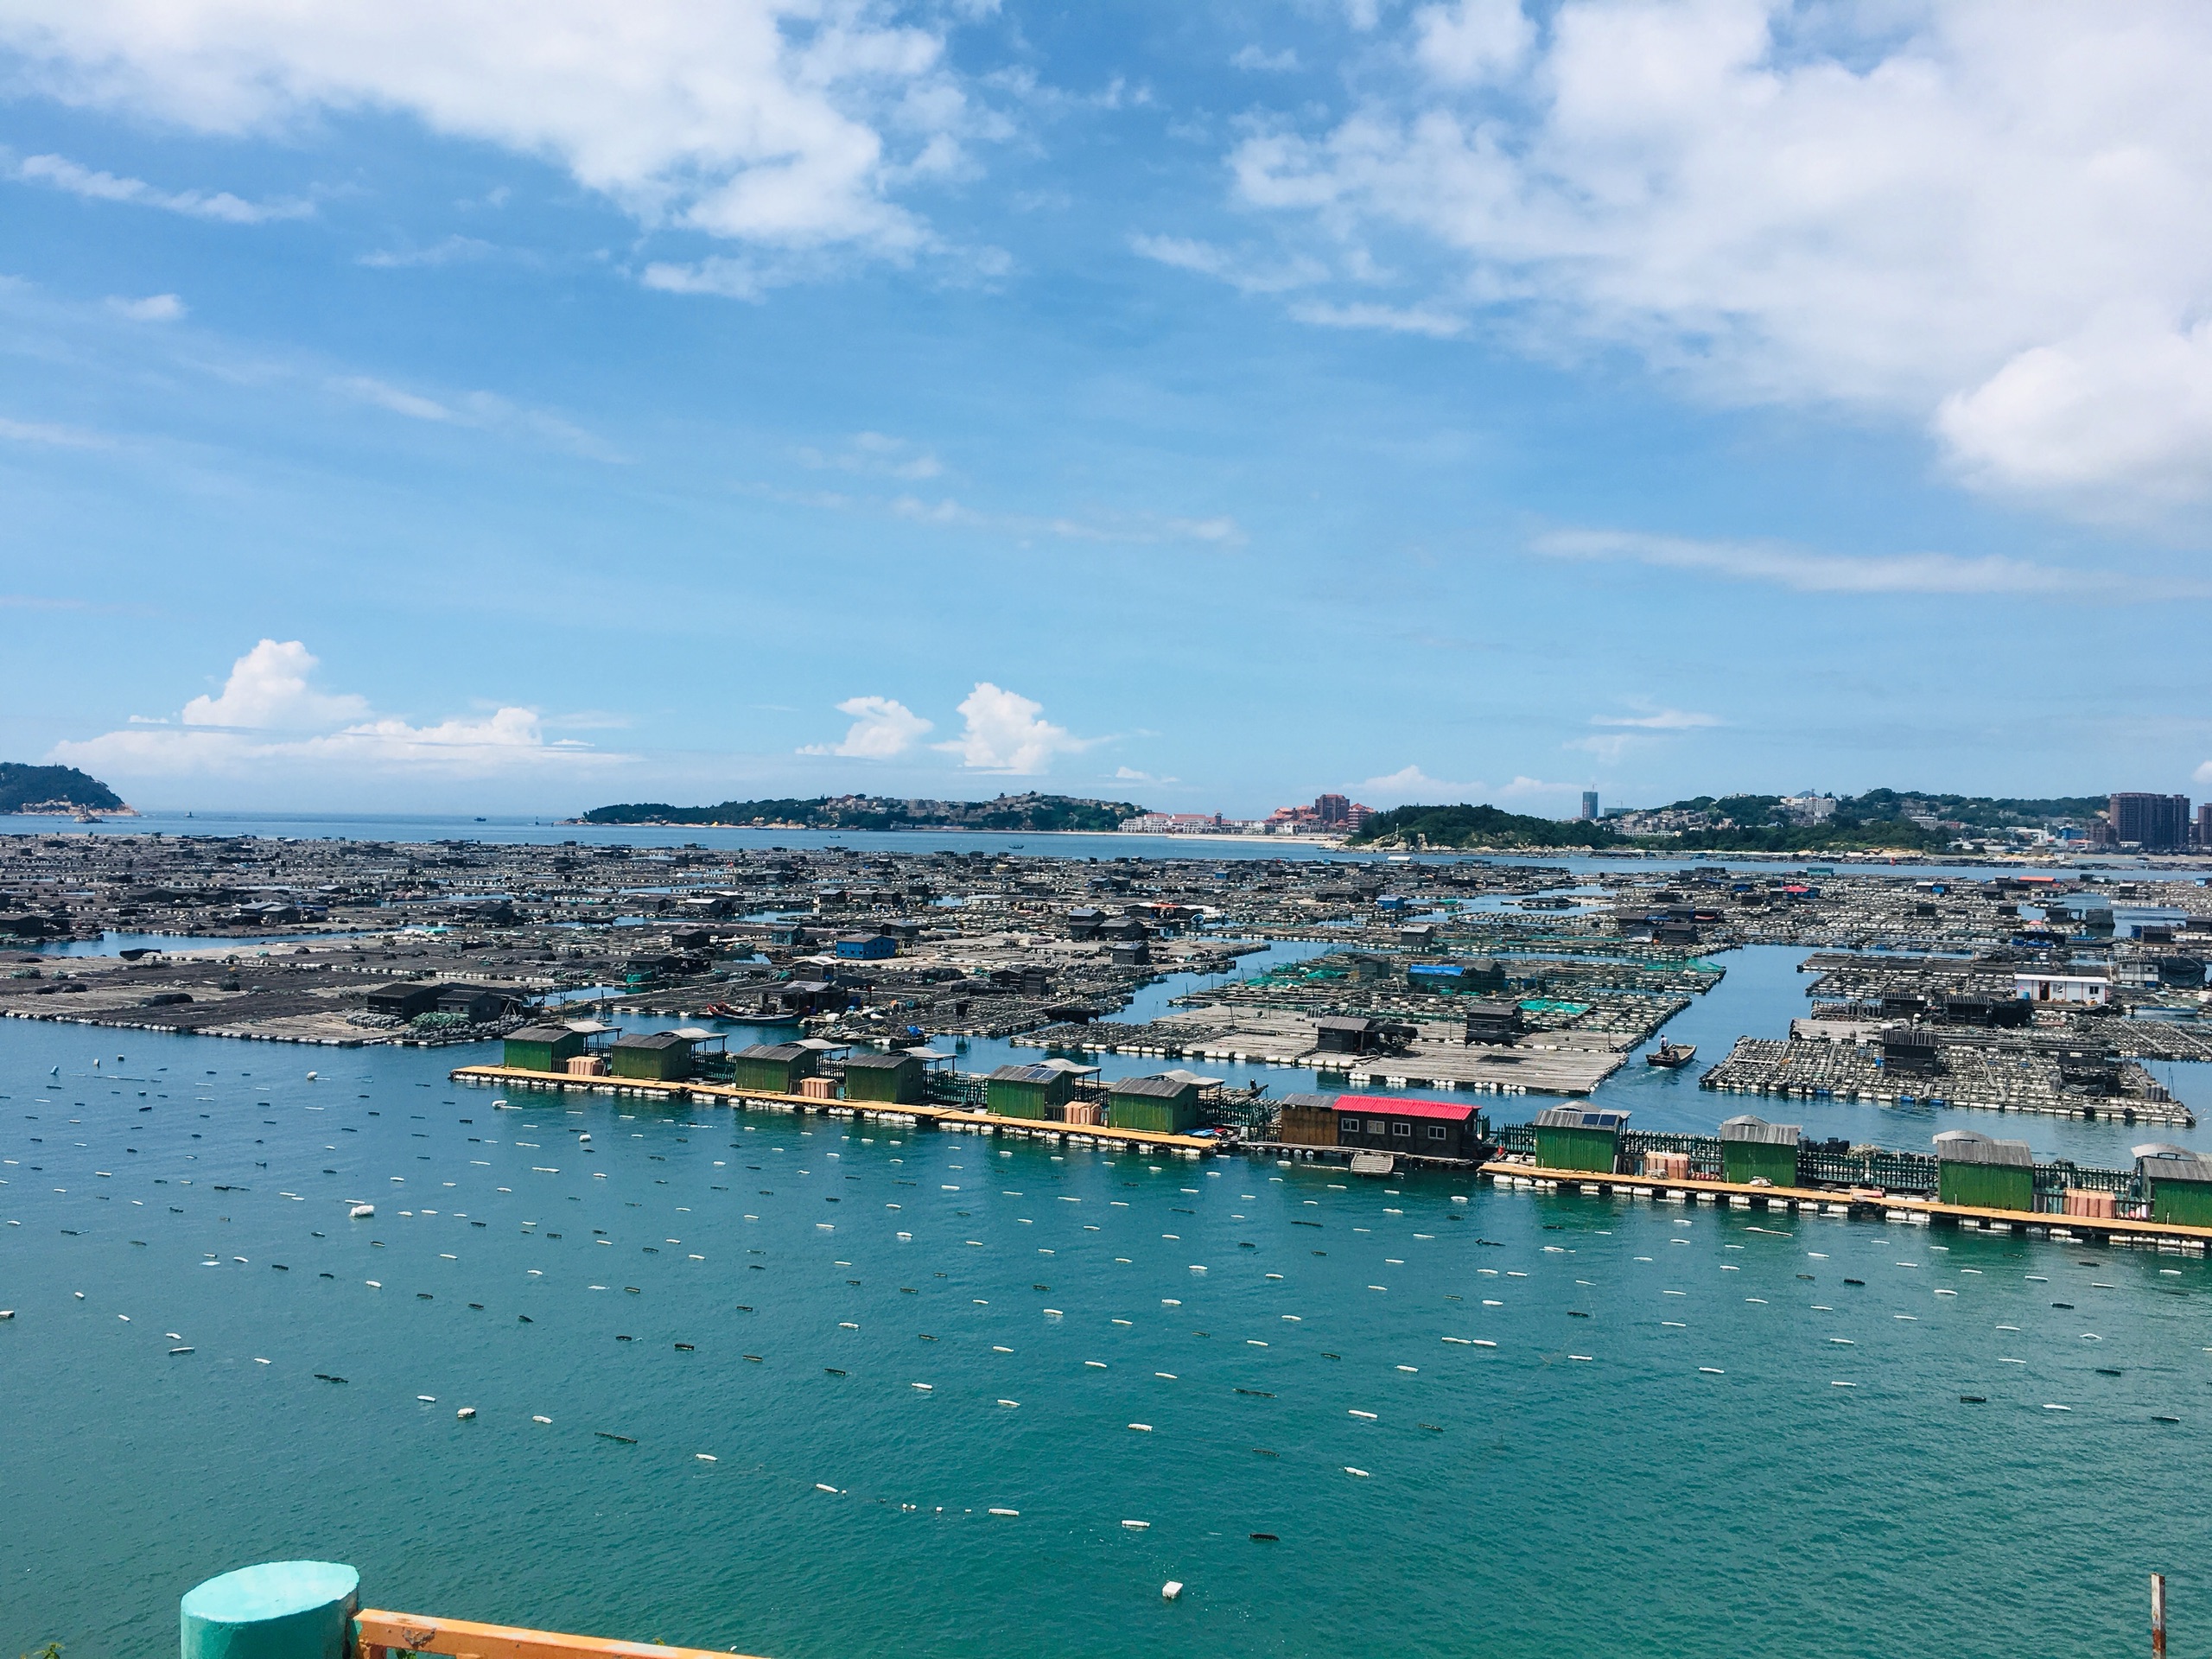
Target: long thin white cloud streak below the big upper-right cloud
x,y
1808,572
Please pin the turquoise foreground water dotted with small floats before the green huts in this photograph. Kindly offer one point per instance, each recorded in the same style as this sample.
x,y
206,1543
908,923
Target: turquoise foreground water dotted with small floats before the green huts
x,y
1514,1499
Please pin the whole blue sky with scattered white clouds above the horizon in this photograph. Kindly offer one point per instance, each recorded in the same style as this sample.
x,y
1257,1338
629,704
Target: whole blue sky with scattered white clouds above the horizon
x,y
519,408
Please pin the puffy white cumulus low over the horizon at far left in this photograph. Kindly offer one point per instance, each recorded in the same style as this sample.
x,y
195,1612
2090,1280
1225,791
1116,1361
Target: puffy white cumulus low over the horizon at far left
x,y
273,720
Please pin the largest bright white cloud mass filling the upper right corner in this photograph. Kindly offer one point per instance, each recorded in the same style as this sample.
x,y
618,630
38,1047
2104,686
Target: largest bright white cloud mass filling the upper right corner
x,y
1985,216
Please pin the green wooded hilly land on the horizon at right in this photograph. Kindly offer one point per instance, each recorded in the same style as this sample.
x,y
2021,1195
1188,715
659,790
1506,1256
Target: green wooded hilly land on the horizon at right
x,y
1872,822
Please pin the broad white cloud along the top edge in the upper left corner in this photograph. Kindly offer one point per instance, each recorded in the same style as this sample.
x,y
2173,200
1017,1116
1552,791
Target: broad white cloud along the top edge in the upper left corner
x,y
780,123
